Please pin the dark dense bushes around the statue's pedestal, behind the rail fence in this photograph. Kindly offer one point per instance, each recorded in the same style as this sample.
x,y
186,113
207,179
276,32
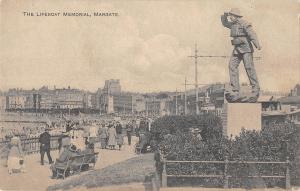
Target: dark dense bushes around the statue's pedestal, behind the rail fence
x,y
275,143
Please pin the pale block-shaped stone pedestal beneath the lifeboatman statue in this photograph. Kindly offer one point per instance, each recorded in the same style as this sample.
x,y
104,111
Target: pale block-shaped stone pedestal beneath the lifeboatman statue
x,y
236,116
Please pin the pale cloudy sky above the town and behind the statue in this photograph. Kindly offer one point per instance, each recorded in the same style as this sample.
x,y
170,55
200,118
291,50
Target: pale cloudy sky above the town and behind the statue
x,y
146,46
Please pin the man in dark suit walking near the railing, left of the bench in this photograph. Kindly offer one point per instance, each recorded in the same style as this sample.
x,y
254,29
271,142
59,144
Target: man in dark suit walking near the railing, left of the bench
x,y
44,140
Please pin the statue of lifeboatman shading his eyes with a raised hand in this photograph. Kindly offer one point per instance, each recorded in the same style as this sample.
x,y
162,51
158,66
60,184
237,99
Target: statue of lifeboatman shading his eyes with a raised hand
x,y
243,36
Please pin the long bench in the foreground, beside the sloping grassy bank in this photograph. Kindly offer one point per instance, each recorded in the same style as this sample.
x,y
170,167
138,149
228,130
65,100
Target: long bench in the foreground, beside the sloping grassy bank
x,y
77,164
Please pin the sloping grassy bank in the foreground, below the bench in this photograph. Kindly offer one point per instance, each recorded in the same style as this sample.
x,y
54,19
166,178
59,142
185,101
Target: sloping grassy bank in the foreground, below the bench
x,y
130,171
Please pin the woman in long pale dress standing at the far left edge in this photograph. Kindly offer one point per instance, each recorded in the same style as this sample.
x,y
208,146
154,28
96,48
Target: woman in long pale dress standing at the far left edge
x,y
15,161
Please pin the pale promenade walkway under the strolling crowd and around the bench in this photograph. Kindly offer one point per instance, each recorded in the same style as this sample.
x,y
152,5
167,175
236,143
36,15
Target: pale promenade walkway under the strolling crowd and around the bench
x,y
37,177
